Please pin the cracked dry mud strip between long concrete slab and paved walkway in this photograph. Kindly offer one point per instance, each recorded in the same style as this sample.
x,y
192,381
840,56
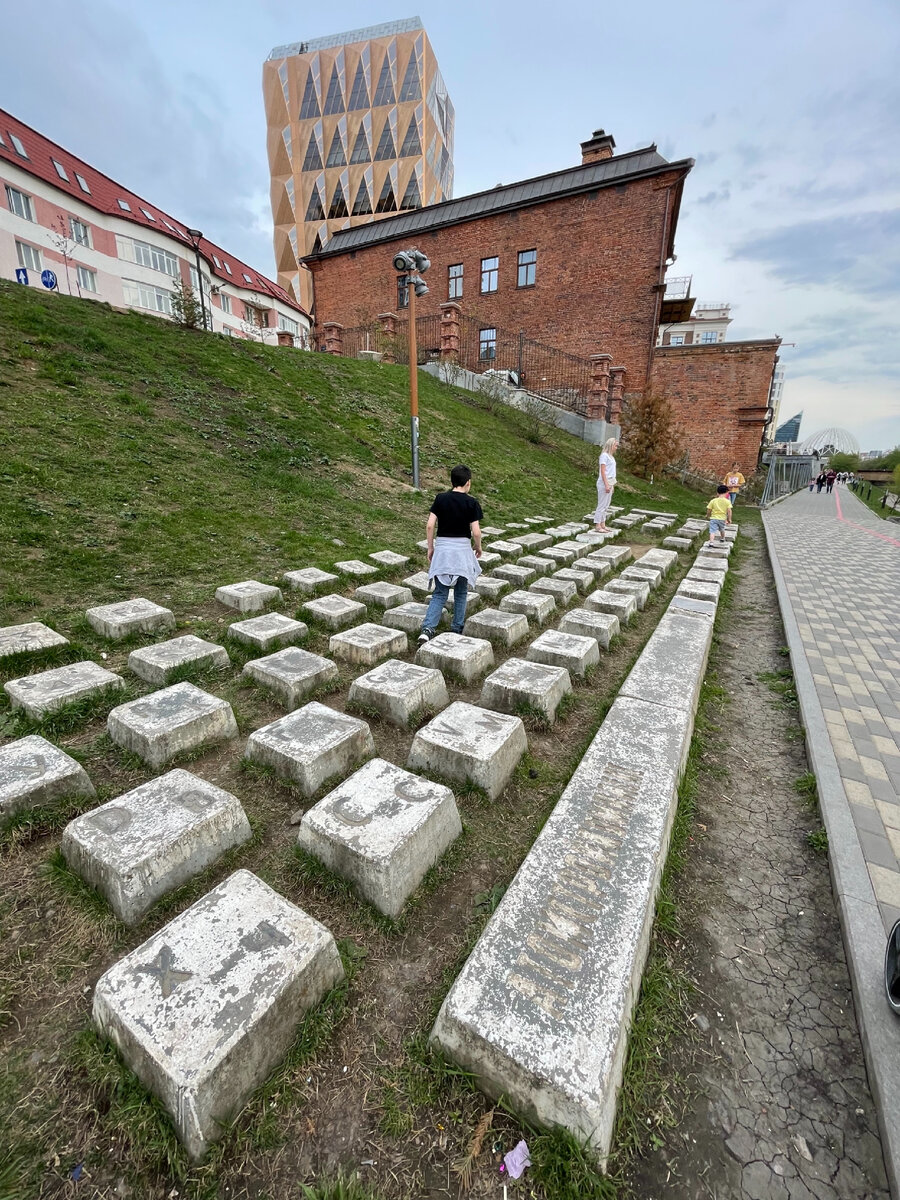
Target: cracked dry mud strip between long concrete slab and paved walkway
x,y
779,1105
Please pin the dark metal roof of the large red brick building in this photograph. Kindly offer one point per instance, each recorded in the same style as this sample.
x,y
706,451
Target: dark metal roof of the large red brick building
x,y
604,173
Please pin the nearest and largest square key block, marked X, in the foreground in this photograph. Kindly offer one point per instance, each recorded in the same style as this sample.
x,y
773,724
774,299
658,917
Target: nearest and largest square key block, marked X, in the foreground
x,y
207,1009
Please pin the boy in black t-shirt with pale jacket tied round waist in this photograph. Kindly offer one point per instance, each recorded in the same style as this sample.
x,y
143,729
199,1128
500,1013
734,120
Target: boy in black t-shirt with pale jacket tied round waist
x,y
454,524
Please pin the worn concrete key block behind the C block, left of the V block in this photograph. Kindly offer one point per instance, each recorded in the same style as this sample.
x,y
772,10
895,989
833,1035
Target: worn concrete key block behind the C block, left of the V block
x,y
311,746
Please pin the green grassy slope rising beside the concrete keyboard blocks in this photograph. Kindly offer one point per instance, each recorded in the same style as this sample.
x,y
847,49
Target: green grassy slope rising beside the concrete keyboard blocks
x,y
139,459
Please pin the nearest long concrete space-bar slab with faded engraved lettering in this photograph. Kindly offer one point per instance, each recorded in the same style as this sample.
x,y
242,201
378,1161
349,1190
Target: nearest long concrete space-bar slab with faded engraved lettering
x,y
543,1009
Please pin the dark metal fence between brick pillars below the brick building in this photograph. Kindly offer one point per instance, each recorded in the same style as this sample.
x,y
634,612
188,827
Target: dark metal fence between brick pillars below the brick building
x,y
561,379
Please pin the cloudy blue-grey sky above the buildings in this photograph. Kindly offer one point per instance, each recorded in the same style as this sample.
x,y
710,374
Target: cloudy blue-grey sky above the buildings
x,y
791,110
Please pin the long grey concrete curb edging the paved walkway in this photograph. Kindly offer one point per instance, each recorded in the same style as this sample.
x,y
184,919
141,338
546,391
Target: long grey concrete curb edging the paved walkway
x,y
865,938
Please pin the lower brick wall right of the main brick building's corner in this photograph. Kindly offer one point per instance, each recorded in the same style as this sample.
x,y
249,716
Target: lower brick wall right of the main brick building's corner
x,y
721,397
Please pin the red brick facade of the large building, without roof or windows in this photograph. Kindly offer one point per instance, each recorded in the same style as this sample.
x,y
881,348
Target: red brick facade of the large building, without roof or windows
x,y
601,262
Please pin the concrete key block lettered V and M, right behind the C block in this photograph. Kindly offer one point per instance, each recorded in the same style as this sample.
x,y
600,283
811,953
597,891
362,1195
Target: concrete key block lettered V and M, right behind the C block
x,y
471,745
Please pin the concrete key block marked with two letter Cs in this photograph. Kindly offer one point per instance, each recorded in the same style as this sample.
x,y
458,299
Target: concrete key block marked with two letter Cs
x,y
382,830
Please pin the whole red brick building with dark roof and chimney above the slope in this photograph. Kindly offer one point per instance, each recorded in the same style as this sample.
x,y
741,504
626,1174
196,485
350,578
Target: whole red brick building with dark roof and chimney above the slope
x,y
575,260
